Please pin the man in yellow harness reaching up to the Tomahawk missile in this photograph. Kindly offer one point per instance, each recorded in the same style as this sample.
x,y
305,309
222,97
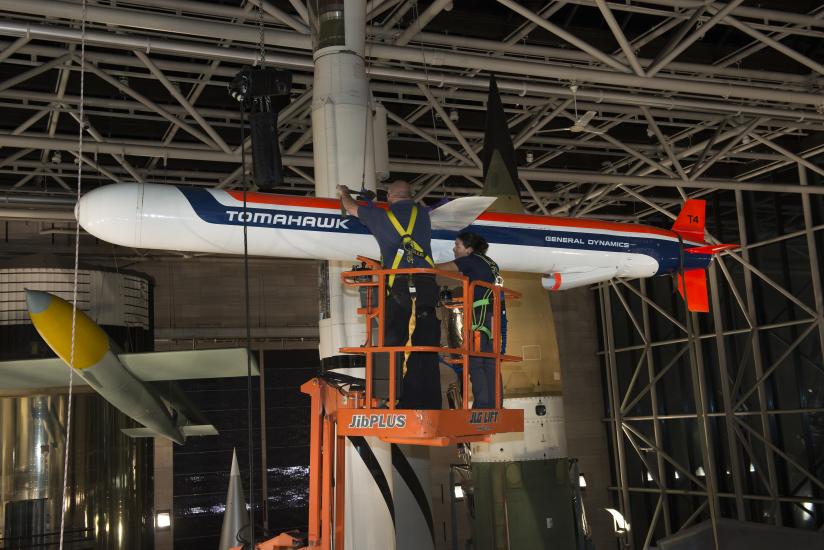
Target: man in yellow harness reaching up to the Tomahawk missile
x,y
404,234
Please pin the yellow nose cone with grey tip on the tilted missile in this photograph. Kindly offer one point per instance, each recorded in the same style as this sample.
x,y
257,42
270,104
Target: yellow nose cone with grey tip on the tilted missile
x,y
52,317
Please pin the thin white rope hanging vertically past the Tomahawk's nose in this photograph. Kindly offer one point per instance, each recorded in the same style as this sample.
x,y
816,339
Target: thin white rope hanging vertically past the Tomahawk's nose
x,y
81,124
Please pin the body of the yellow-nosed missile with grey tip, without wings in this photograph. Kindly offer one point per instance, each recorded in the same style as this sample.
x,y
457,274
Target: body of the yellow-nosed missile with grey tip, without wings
x,y
96,364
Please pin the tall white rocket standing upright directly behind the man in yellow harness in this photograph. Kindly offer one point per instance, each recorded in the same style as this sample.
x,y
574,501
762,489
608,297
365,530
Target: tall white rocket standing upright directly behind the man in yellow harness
x,y
344,121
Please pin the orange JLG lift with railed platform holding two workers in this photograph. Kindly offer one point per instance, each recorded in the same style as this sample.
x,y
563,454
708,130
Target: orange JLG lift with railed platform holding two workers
x,y
339,410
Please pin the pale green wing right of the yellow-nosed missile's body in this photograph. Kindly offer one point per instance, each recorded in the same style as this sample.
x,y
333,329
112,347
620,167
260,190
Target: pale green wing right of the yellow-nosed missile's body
x,y
188,364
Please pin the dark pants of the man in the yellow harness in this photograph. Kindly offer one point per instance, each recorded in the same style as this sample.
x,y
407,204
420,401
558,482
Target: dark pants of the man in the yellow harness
x,y
421,387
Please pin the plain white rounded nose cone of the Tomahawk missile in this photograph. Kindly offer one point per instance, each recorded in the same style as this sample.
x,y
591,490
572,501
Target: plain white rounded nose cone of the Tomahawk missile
x,y
111,212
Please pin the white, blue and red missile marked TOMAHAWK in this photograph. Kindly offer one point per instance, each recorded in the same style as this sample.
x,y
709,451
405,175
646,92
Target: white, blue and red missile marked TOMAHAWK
x,y
568,252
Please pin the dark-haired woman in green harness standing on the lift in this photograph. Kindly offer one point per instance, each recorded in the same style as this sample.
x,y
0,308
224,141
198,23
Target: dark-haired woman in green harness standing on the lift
x,y
471,260
